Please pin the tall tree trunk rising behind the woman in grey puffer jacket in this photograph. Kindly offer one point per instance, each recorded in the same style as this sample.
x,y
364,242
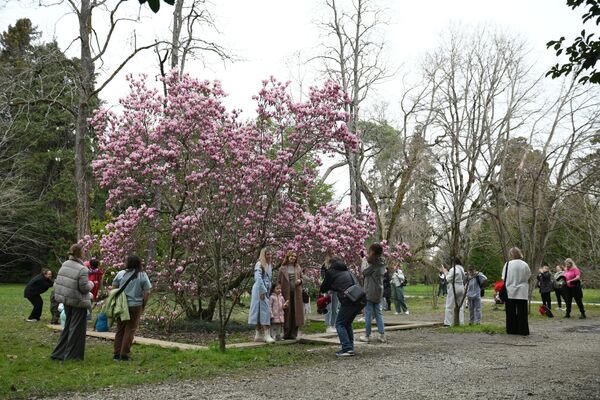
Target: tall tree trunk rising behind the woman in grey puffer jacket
x,y
86,72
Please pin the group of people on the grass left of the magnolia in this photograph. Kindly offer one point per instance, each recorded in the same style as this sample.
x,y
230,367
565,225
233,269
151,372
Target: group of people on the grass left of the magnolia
x,y
76,287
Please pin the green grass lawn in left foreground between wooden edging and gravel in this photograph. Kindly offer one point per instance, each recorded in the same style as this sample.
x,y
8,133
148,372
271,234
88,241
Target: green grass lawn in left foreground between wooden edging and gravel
x,y
26,369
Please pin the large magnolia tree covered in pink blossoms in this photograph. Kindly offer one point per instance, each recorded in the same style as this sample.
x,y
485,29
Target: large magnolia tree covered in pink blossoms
x,y
206,191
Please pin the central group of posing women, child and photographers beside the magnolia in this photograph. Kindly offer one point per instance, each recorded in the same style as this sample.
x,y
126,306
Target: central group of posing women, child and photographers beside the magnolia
x,y
277,311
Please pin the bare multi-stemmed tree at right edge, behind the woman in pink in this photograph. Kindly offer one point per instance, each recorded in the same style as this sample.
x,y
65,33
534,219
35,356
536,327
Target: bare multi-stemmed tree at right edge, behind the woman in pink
x,y
550,171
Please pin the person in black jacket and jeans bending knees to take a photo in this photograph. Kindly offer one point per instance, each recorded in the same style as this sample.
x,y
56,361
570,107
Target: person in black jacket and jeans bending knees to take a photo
x,y
337,279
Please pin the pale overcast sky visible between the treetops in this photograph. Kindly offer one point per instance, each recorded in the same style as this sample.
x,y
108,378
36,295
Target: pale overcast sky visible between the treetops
x,y
267,34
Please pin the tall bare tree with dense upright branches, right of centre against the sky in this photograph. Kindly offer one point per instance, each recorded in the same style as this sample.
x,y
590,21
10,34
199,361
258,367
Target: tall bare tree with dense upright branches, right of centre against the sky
x,y
481,100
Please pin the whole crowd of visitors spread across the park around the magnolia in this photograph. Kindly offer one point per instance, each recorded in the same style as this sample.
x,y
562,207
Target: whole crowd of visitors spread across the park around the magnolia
x,y
277,311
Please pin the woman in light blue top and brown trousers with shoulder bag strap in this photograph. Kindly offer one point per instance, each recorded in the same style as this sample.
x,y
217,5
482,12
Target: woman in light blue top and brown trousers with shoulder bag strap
x,y
136,286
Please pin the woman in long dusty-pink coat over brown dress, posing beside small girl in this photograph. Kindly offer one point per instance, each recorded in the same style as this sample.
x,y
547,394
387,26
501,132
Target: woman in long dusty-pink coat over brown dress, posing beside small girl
x,y
290,279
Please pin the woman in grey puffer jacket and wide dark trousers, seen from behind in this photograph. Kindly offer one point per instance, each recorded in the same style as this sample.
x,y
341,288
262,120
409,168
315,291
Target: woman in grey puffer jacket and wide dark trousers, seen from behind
x,y
72,288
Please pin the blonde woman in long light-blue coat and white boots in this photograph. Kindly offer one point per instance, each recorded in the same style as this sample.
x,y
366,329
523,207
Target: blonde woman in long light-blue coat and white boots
x,y
260,310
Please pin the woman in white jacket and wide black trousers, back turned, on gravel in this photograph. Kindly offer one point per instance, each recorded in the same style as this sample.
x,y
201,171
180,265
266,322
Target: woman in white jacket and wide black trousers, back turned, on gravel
x,y
516,275
